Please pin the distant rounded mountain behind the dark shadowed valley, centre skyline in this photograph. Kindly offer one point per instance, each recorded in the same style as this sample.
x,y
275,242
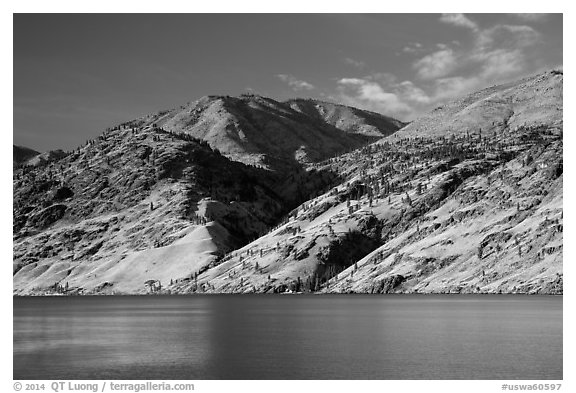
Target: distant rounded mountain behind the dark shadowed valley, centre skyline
x,y
261,131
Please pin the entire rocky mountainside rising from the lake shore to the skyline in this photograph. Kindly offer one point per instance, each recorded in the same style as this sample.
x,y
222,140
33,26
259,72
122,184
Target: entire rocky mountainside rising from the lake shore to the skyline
x,y
467,199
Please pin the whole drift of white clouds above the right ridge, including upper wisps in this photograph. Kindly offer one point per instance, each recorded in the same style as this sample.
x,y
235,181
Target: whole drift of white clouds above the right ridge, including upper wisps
x,y
448,70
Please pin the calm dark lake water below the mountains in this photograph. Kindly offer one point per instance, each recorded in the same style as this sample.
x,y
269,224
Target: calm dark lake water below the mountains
x,y
289,337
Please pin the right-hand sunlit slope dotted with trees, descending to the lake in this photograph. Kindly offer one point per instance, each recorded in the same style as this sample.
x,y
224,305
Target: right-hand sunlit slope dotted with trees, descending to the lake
x,y
467,211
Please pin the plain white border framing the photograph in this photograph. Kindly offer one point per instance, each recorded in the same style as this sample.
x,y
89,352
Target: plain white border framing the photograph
x,y
304,6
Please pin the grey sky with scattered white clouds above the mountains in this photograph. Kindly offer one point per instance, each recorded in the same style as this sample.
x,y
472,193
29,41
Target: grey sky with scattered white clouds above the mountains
x,y
76,74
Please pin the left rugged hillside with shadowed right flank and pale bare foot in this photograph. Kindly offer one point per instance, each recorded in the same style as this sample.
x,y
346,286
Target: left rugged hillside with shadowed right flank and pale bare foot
x,y
159,200
